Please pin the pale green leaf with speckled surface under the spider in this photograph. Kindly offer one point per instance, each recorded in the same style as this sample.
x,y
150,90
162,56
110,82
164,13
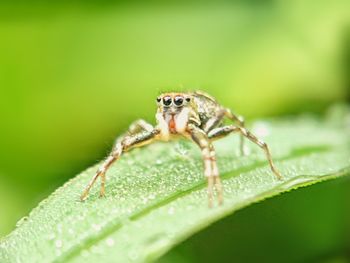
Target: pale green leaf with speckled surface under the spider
x,y
156,196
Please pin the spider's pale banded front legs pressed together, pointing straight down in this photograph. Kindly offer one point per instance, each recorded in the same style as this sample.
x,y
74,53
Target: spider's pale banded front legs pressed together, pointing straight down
x,y
211,170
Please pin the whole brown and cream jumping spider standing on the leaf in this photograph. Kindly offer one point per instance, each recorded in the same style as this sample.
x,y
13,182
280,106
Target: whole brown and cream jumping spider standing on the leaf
x,y
193,115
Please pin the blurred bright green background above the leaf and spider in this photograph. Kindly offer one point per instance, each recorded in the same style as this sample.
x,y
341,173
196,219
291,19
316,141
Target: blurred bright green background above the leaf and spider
x,y
74,74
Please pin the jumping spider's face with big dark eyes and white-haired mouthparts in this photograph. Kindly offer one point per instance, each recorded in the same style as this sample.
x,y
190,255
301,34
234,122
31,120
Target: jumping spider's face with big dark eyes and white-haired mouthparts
x,y
173,112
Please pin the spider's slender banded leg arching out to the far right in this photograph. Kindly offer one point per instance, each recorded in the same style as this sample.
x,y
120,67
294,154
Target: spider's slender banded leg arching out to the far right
x,y
223,131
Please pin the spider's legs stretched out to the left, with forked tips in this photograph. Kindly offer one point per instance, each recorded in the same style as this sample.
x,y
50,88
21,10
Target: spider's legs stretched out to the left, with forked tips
x,y
139,134
